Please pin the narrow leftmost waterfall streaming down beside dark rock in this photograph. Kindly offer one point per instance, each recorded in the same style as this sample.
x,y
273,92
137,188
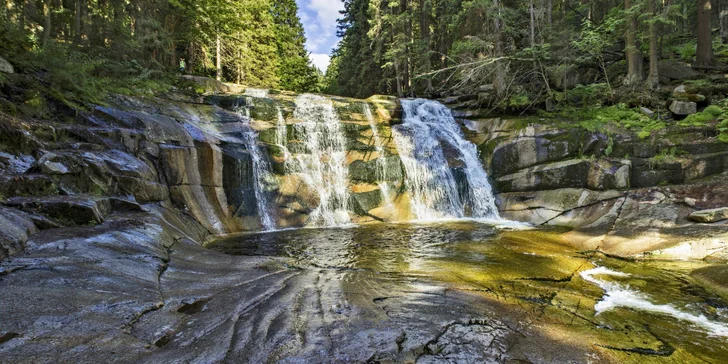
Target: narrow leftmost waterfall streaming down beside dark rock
x,y
262,175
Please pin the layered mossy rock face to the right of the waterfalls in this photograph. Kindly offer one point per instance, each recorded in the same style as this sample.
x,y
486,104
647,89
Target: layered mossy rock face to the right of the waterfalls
x,y
615,191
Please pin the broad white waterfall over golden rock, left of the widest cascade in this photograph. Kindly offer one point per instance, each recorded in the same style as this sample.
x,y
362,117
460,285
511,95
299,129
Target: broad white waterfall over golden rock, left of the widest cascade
x,y
323,165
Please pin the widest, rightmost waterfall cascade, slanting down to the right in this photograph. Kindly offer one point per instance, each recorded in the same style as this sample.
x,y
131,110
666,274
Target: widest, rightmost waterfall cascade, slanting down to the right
x,y
428,130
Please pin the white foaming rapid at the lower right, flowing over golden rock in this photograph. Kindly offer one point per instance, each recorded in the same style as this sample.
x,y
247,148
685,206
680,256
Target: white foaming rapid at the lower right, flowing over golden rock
x,y
617,295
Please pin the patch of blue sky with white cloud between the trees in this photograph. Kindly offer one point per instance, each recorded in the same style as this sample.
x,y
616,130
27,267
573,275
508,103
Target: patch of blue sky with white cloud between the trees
x,y
319,21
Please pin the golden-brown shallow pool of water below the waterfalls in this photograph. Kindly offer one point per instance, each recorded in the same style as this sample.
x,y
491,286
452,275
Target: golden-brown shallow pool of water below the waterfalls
x,y
610,309
